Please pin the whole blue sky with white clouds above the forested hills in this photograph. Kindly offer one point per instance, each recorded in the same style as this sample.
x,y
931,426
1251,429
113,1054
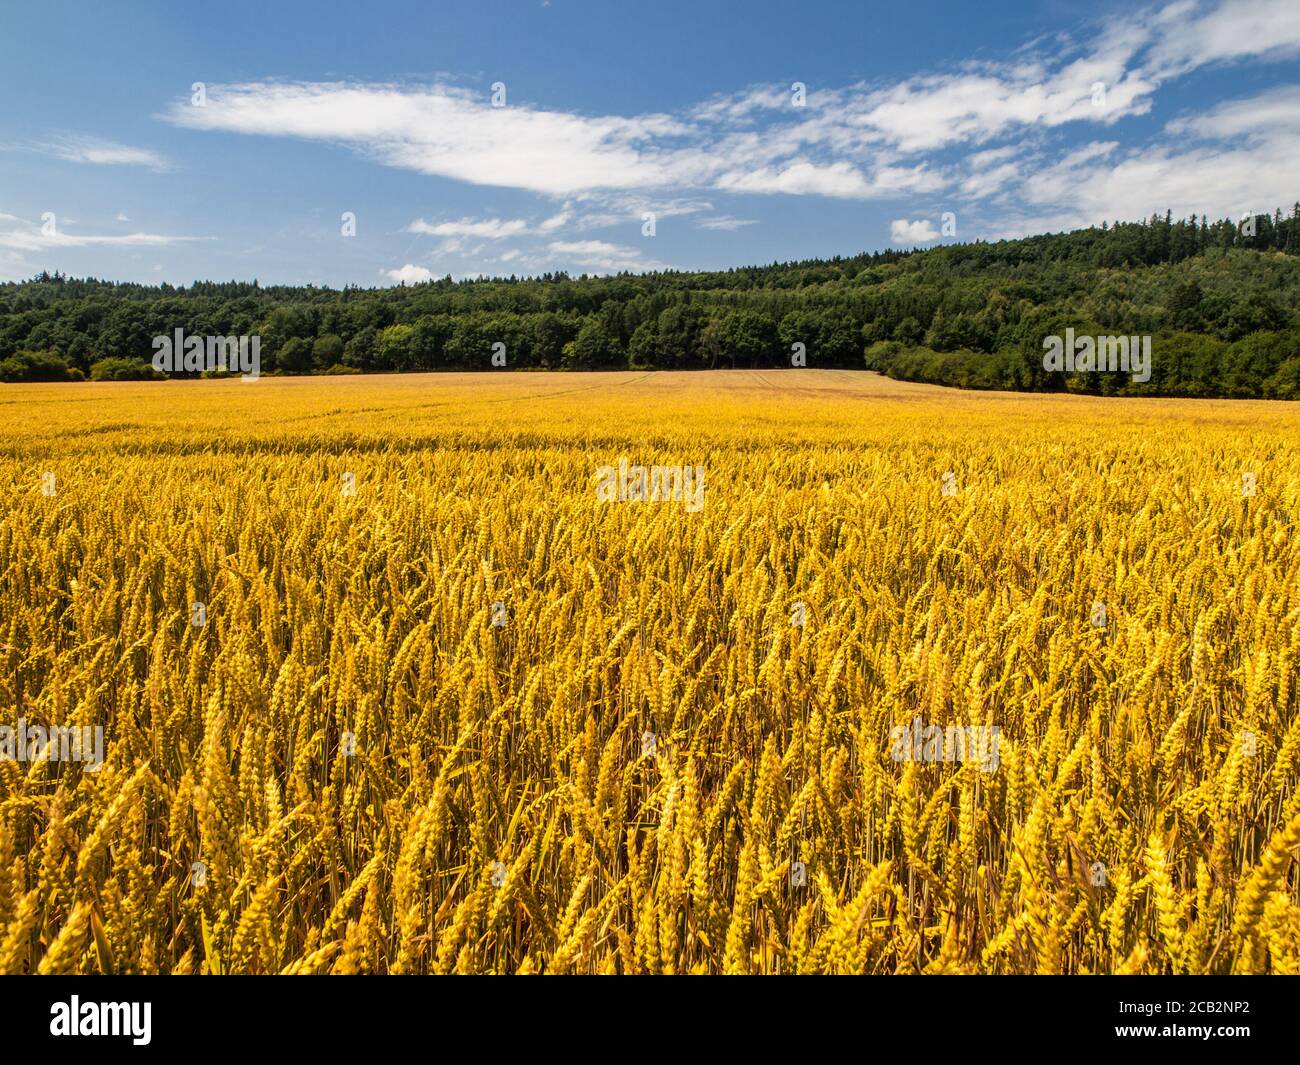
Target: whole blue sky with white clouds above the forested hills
x,y
1013,119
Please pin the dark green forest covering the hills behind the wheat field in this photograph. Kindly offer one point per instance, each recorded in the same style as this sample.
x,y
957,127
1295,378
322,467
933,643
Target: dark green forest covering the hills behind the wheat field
x,y
1221,302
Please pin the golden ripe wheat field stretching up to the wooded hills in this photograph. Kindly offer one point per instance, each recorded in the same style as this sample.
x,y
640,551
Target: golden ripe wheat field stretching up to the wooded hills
x,y
387,689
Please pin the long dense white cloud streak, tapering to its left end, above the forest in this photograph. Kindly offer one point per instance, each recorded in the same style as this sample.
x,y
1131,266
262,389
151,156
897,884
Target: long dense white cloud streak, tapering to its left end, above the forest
x,y
452,133
